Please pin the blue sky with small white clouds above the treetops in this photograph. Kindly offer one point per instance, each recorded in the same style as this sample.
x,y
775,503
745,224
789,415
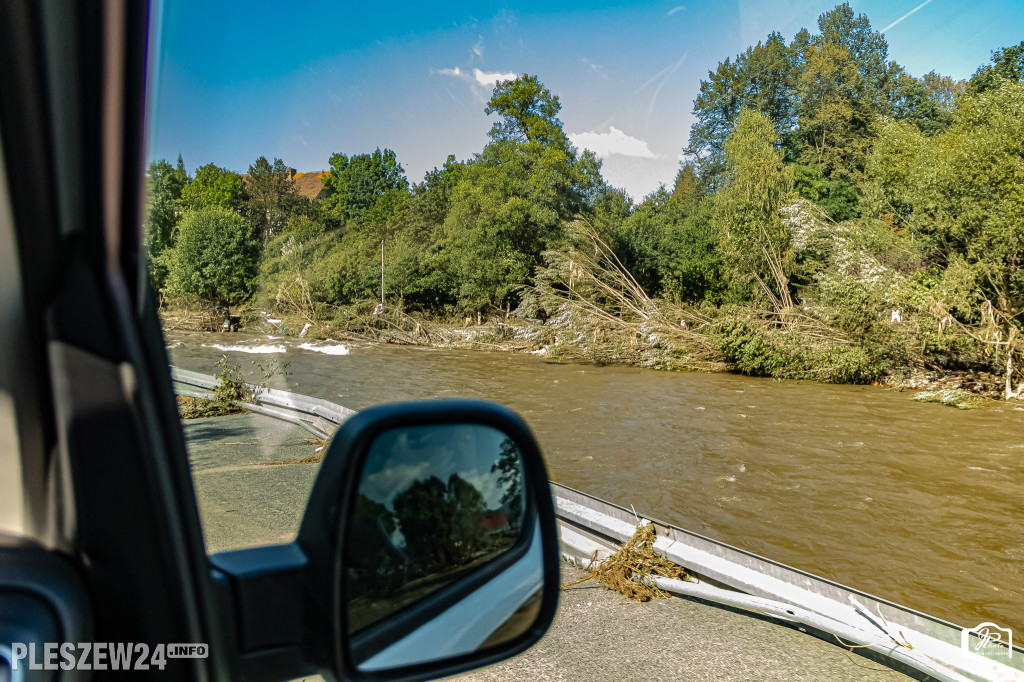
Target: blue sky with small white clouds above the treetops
x,y
301,81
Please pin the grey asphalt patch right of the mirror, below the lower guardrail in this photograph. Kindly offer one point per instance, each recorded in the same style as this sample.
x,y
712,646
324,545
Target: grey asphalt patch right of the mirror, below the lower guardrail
x,y
601,635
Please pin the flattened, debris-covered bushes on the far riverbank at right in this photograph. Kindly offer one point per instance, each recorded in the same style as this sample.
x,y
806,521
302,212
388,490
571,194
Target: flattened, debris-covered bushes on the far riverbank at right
x,y
586,306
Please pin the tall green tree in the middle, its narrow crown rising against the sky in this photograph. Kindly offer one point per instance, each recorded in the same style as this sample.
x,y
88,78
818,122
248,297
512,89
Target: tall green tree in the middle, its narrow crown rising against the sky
x,y
514,198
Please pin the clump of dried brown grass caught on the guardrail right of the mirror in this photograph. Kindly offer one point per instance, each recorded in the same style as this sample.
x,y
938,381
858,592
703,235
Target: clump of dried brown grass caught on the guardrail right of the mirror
x,y
627,571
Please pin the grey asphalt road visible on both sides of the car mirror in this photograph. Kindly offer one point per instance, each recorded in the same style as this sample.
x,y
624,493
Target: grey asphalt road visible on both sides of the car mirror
x,y
251,493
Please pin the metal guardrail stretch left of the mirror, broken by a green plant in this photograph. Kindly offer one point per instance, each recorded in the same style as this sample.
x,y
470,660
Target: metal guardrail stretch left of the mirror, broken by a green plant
x,y
317,416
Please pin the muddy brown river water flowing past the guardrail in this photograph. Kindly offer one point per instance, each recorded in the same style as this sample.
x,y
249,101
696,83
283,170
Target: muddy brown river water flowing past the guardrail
x,y
921,504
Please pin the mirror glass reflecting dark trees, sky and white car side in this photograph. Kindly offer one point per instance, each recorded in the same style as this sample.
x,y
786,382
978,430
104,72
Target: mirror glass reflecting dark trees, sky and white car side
x,y
429,568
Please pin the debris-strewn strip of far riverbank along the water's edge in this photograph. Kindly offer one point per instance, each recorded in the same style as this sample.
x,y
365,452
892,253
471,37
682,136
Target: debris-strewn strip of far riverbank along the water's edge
x,y
950,380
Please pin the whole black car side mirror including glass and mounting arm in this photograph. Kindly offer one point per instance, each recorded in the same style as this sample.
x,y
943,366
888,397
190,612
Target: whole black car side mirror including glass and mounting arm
x,y
429,548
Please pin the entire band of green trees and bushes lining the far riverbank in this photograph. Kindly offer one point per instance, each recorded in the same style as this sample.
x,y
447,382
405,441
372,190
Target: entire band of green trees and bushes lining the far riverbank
x,y
819,170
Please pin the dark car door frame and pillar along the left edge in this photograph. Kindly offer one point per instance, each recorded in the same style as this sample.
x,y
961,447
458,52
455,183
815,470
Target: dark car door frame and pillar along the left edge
x,y
103,475
